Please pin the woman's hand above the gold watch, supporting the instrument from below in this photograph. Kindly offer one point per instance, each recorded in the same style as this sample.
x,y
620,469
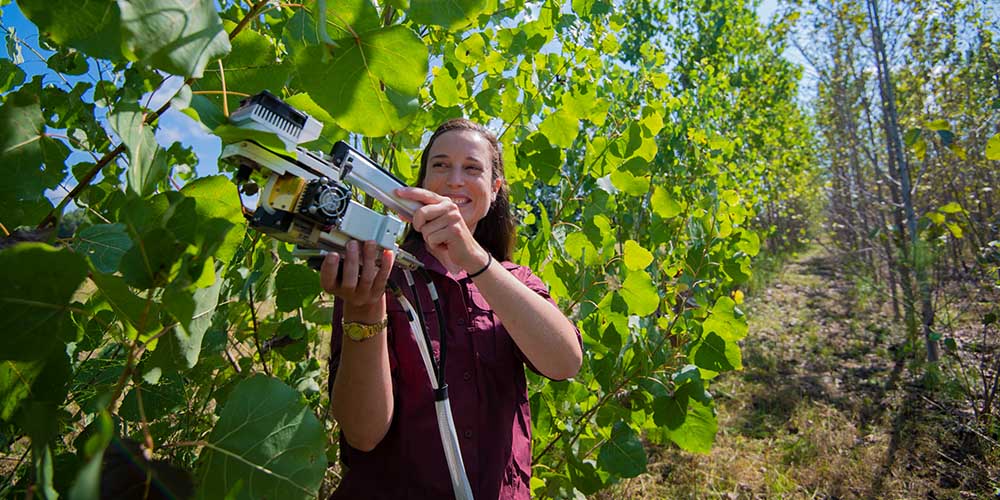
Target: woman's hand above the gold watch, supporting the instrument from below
x,y
361,282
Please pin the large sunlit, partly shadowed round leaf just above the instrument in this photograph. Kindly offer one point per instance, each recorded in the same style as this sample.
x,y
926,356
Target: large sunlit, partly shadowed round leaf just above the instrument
x,y
348,81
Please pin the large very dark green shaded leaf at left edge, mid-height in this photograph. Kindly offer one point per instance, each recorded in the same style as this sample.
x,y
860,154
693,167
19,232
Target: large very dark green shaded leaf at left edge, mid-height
x,y
36,286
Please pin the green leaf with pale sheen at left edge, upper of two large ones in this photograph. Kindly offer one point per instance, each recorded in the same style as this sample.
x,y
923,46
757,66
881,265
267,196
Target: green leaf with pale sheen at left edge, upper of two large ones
x,y
23,148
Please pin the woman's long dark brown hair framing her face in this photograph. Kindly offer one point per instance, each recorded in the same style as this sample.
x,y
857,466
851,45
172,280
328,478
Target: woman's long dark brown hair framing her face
x,y
497,231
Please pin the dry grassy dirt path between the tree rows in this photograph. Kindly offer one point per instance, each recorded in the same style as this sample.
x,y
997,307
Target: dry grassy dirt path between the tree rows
x,y
826,408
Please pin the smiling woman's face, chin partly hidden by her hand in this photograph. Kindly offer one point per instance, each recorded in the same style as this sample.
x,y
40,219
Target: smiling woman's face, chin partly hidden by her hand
x,y
460,166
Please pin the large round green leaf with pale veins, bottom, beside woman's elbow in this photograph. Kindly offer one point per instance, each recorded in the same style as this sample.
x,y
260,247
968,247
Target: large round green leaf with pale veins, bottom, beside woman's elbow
x,y
266,438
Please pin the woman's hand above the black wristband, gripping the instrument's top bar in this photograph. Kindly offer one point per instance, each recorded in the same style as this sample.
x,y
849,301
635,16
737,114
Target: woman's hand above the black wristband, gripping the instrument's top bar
x,y
440,222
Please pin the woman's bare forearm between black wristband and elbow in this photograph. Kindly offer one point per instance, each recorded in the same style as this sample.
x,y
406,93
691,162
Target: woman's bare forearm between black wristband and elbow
x,y
542,332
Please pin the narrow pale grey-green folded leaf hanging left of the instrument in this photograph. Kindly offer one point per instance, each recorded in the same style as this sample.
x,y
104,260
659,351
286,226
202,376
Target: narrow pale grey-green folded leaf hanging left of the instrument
x,y
147,165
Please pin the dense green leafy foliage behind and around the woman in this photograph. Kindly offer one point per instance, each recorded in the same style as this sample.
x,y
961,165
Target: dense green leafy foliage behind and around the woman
x,y
653,150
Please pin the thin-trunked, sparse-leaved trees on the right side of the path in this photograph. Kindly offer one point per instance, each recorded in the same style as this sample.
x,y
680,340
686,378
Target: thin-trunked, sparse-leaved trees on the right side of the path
x,y
908,102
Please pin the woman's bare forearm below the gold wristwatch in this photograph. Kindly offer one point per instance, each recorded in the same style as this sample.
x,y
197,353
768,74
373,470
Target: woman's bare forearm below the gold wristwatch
x,y
362,400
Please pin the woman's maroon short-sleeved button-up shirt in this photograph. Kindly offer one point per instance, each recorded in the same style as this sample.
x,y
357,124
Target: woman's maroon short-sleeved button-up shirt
x,y
488,396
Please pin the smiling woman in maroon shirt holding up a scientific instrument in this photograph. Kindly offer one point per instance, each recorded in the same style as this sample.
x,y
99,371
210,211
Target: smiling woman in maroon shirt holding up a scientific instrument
x,y
498,316
